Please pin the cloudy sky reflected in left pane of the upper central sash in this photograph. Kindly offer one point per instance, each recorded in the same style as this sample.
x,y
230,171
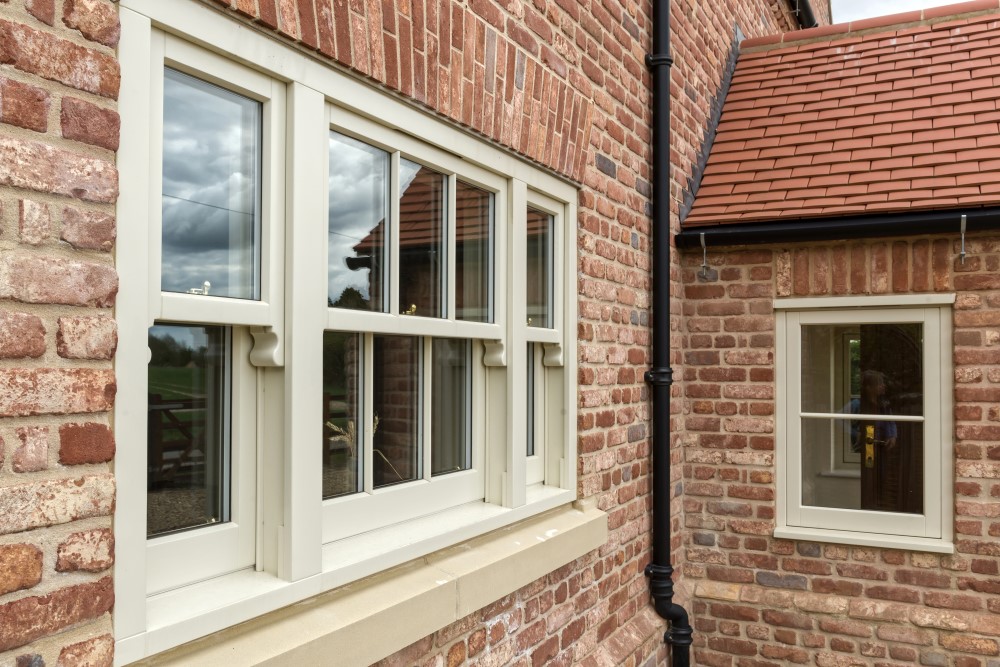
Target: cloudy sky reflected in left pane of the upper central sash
x,y
358,202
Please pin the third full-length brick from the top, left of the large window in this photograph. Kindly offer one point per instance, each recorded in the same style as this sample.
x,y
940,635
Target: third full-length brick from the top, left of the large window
x,y
69,282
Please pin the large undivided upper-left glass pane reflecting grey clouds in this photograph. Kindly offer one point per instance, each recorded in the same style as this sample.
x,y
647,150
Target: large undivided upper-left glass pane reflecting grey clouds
x,y
211,190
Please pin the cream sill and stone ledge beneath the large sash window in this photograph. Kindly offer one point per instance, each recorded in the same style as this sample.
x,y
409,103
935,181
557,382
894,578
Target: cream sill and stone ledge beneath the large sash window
x,y
429,586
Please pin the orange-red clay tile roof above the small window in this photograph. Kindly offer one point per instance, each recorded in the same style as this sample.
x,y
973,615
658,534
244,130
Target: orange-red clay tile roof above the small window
x,y
889,114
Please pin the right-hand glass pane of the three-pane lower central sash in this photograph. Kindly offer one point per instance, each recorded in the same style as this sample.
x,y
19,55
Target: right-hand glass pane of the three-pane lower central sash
x,y
451,387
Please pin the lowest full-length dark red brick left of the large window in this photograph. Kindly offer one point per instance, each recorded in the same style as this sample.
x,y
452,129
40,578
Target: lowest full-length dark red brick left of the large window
x,y
31,618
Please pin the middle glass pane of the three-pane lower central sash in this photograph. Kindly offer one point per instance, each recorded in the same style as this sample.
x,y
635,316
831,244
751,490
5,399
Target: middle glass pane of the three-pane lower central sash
x,y
396,396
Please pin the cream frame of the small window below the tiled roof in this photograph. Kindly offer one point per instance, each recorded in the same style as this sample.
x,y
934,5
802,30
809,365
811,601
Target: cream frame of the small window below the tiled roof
x,y
930,531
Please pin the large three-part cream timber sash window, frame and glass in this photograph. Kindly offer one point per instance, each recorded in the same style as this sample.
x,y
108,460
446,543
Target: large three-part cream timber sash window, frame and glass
x,y
333,305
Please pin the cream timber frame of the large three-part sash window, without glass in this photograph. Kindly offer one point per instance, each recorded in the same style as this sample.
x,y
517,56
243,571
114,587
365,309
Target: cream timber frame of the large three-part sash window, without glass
x,y
292,557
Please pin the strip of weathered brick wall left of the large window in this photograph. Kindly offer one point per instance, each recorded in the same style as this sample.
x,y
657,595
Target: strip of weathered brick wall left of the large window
x,y
58,185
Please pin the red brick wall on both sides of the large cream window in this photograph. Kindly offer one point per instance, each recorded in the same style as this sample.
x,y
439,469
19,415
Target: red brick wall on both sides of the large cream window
x,y
560,81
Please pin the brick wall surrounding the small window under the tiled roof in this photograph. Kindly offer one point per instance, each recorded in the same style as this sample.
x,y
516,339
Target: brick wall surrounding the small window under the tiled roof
x,y
763,600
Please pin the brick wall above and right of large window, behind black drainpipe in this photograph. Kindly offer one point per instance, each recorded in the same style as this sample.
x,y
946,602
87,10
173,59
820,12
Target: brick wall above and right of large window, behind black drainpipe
x,y
564,83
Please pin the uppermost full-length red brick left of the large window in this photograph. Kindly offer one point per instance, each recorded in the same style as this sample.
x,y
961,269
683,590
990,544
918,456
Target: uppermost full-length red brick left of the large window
x,y
56,59
